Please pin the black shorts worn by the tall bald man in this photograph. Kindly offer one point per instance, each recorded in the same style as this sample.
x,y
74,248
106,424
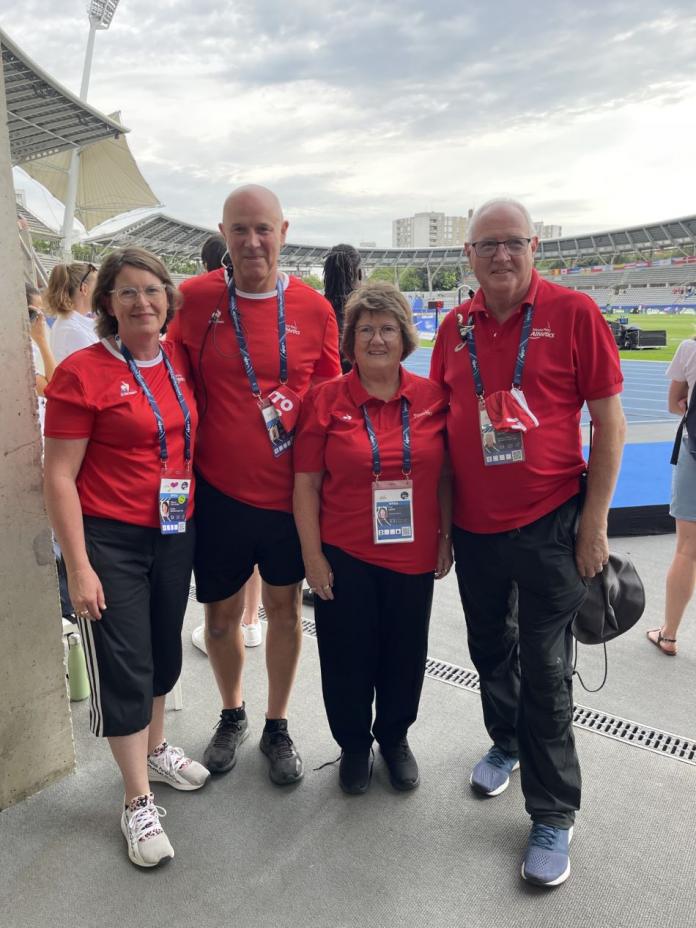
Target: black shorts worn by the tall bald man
x,y
231,537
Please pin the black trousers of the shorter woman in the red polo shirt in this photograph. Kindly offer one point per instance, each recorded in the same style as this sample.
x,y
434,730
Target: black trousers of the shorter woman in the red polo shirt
x,y
373,643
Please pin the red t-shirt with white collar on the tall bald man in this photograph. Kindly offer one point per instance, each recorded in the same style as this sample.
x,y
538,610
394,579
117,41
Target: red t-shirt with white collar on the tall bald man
x,y
234,453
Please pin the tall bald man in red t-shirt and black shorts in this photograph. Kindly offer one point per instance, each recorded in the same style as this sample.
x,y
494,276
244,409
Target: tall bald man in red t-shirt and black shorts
x,y
257,340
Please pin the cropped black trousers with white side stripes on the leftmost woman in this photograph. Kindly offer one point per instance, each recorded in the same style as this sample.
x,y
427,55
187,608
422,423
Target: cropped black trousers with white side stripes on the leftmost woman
x,y
134,651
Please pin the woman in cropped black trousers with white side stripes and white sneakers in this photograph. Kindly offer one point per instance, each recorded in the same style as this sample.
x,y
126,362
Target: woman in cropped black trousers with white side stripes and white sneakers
x,y
120,434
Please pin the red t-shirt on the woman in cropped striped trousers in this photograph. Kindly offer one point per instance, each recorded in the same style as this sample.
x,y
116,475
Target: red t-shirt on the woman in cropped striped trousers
x,y
94,395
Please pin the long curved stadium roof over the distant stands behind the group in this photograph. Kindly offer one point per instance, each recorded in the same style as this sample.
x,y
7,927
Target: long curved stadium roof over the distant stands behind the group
x,y
167,236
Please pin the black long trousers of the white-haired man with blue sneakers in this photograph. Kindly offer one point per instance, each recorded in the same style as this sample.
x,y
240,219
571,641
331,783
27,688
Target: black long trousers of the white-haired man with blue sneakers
x,y
520,591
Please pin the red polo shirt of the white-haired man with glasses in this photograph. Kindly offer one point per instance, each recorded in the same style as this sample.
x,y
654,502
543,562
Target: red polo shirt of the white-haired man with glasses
x,y
571,358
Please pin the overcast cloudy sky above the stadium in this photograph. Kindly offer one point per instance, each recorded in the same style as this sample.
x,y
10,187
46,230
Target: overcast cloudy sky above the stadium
x,y
357,113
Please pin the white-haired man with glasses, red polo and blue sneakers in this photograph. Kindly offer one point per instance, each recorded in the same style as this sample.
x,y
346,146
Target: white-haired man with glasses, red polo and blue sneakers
x,y
520,358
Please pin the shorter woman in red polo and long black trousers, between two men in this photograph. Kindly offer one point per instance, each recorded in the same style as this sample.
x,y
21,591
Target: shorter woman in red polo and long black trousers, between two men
x,y
372,505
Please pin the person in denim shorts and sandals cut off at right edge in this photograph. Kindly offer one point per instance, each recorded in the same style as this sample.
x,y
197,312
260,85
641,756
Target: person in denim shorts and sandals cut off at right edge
x,y
681,576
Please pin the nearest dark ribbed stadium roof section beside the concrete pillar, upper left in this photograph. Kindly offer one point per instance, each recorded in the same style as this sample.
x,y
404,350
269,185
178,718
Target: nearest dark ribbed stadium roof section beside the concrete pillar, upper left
x,y
43,117
